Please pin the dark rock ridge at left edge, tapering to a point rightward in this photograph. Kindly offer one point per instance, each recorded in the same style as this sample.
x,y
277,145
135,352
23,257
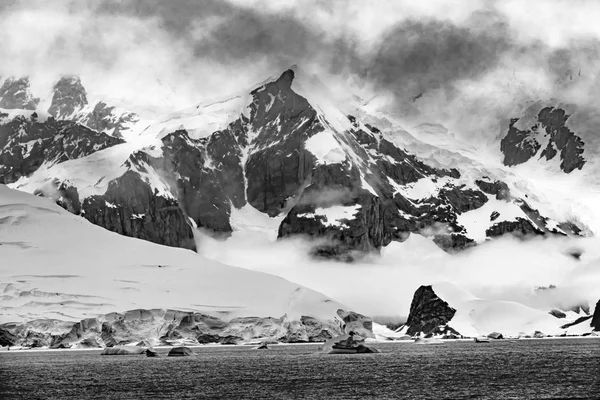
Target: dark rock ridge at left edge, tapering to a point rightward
x,y
26,144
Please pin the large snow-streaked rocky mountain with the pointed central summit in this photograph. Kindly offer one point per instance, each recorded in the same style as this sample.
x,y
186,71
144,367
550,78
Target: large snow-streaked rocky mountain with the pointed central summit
x,y
345,174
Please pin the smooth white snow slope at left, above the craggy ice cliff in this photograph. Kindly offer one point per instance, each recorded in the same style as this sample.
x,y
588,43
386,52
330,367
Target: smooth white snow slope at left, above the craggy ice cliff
x,y
56,266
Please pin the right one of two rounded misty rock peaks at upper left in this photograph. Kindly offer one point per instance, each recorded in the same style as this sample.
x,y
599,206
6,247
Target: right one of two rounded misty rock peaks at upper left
x,y
69,97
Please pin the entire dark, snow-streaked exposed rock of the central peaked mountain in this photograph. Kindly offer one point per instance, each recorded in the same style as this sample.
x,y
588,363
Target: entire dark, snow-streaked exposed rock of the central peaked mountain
x,y
263,159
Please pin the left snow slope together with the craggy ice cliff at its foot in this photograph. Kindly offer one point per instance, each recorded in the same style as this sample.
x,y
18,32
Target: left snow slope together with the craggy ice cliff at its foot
x,y
64,280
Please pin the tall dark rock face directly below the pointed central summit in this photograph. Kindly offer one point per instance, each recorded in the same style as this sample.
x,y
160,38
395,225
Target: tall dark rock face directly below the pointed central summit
x,y
279,166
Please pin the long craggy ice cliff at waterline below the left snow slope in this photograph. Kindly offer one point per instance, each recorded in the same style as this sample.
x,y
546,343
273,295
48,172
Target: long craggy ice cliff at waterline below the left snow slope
x,y
168,327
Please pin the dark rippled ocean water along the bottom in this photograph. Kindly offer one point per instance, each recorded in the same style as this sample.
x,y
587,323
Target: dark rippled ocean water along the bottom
x,y
525,369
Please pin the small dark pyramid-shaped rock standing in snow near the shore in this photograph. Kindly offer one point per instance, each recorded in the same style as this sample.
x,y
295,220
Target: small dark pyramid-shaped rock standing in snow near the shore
x,y
428,313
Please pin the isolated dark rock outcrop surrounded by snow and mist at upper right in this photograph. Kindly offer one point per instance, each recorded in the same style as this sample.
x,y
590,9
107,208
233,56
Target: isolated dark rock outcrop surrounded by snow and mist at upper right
x,y
519,146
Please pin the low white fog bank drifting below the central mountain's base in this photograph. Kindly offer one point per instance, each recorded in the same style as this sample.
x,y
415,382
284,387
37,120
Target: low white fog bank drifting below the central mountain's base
x,y
383,285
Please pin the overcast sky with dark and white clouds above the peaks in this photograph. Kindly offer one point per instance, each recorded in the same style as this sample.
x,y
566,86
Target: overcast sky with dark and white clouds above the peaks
x,y
159,55
